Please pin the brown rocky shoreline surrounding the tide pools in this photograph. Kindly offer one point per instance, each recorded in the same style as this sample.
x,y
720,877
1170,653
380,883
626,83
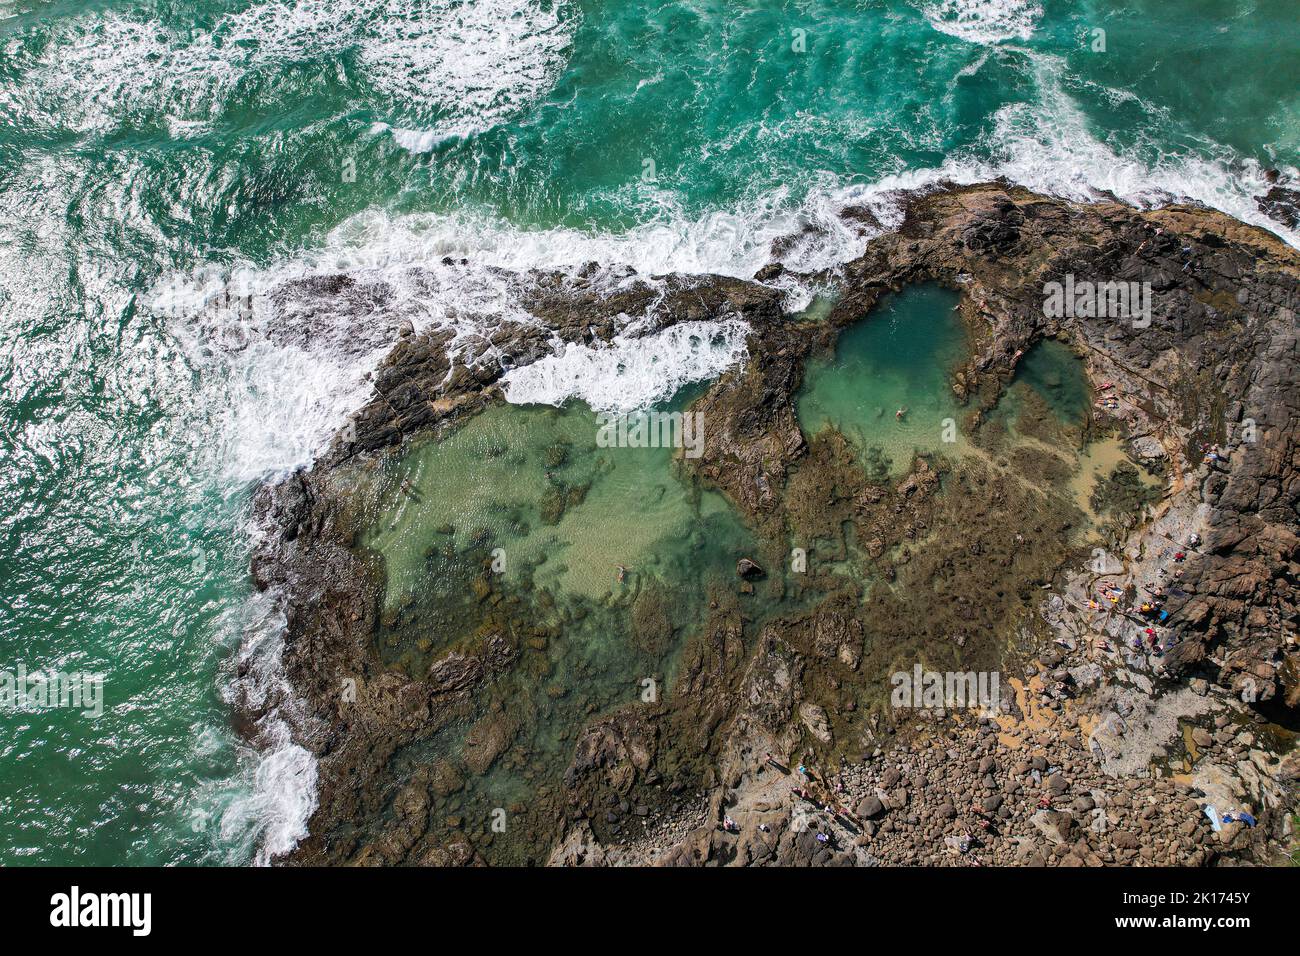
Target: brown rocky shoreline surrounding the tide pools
x,y
1102,751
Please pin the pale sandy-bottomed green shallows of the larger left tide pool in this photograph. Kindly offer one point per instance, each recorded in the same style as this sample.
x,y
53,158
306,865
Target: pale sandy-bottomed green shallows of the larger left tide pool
x,y
536,483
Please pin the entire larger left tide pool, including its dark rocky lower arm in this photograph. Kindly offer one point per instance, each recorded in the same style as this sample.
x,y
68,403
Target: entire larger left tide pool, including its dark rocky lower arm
x,y
599,564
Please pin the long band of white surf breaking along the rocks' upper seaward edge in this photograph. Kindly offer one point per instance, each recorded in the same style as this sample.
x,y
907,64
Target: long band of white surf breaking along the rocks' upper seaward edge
x,y
300,395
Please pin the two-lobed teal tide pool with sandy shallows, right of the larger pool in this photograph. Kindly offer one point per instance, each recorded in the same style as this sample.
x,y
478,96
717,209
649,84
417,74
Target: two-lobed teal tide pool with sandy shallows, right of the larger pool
x,y
903,357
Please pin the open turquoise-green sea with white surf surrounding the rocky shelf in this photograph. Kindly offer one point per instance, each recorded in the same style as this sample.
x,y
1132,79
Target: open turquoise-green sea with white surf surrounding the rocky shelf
x,y
148,140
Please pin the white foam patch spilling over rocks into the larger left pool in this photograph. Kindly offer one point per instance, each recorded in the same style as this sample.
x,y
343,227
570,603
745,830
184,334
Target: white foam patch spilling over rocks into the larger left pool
x,y
631,374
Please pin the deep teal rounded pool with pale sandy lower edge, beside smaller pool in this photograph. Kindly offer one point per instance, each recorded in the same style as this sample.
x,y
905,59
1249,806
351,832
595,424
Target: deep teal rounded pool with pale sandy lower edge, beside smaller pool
x,y
900,358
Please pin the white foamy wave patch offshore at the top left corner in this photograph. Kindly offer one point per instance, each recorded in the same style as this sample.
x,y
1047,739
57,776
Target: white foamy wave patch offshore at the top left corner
x,y
461,68
